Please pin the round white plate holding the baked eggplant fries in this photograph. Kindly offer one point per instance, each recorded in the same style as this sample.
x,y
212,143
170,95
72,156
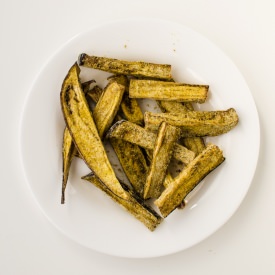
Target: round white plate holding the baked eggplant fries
x,y
89,217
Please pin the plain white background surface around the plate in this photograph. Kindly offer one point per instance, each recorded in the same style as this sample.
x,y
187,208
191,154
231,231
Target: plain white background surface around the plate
x,y
31,31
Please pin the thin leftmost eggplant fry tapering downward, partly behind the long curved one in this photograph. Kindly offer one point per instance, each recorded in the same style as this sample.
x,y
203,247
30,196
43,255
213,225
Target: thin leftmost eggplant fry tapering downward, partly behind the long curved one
x,y
68,152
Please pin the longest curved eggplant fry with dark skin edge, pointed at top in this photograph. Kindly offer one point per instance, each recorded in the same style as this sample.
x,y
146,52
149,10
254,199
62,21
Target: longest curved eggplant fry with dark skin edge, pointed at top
x,y
84,133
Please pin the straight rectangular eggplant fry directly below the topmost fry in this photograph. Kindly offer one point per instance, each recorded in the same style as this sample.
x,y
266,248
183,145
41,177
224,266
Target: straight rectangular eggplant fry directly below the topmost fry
x,y
166,90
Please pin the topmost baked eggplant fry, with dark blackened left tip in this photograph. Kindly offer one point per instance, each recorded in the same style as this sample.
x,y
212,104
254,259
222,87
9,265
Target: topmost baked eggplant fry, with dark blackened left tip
x,y
134,68
